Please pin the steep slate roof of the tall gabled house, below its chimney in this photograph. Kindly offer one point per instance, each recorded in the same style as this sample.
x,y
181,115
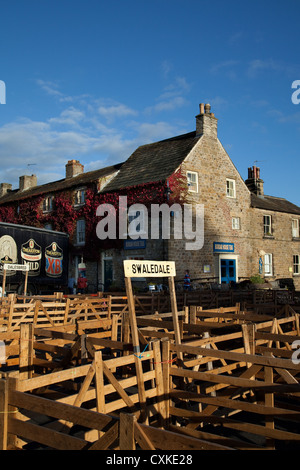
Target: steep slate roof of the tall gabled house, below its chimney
x,y
153,162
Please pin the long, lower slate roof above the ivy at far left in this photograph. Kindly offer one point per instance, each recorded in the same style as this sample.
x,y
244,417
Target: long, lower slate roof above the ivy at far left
x,y
60,185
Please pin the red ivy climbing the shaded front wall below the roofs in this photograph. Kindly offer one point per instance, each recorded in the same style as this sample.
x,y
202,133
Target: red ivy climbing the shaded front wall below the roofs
x,y
65,215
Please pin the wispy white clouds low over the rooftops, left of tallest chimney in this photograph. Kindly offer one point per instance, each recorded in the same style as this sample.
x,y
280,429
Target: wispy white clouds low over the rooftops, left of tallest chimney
x,y
88,130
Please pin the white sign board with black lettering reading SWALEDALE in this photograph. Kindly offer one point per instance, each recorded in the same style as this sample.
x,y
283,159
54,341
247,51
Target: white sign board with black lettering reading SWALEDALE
x,y
137,268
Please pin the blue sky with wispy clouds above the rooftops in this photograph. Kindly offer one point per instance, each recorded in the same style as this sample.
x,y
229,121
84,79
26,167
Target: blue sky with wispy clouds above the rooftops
x,y
93,80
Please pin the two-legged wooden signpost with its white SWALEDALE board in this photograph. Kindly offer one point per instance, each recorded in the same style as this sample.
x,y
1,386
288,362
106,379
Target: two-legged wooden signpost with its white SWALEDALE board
x,y
137,268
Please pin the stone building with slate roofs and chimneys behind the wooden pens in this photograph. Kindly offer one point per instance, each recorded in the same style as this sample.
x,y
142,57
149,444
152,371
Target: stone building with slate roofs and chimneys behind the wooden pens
x,y
245,233
